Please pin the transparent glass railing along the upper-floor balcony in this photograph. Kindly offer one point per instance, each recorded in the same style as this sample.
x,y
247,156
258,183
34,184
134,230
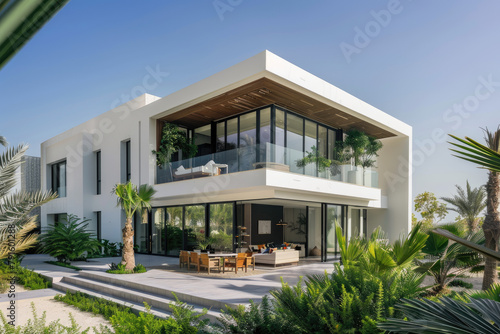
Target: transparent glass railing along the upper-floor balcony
x,y
261,156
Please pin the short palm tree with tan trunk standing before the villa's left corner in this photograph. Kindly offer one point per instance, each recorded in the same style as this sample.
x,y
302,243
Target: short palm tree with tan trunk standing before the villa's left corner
x,y
131,199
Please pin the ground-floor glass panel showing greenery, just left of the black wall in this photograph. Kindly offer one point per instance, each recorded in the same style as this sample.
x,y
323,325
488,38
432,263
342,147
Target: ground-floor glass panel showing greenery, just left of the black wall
x,y
221,226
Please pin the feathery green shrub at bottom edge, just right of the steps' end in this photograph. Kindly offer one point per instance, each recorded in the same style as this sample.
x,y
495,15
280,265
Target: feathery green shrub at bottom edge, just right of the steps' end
x,y
257,318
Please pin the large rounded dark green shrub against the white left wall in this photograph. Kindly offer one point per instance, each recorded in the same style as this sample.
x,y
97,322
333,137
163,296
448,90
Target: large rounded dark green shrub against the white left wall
x,y
69,240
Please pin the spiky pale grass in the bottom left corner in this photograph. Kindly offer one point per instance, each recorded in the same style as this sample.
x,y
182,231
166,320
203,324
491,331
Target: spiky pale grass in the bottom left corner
x,y
39,325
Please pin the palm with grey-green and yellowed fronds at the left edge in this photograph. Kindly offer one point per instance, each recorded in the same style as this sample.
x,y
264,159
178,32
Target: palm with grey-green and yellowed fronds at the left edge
x,y
16,224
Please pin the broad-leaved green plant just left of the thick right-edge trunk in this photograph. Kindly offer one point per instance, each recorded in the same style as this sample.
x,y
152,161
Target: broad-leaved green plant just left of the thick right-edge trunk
x,y
446,260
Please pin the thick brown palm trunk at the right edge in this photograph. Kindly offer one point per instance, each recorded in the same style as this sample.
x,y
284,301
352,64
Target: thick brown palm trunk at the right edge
x,y
491,228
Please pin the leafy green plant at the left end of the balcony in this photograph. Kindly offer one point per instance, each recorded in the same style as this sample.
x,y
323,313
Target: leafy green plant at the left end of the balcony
x,y
173,140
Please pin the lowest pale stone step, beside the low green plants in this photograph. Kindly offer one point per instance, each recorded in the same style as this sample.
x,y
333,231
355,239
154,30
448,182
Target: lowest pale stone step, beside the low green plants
x,y
130,295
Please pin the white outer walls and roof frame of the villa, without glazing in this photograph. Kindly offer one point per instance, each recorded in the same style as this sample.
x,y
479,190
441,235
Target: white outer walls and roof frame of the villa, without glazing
x,y
389,205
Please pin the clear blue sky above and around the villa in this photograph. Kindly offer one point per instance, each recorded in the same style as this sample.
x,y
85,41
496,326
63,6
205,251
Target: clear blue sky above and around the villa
x,y
433,64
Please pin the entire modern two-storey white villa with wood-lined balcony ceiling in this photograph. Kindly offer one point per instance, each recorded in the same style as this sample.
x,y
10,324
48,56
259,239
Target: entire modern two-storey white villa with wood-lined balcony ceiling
x,y
252,123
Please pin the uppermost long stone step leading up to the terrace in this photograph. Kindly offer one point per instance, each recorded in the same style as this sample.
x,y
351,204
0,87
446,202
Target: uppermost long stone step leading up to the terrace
x,y
159,291
